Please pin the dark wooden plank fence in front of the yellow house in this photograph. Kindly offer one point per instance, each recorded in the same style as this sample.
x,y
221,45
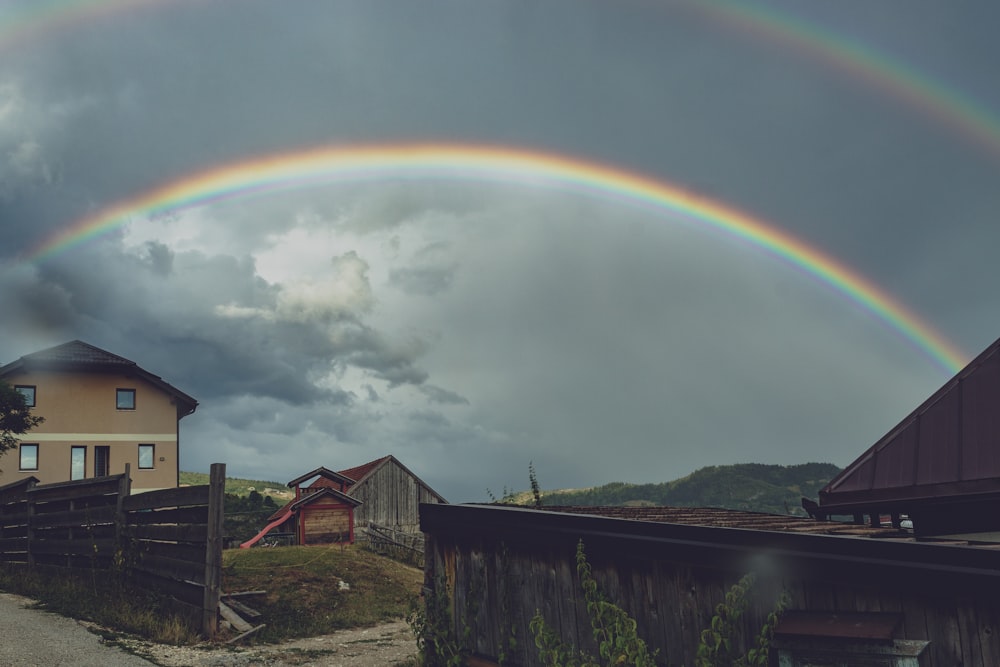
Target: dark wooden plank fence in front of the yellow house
x,y
169,540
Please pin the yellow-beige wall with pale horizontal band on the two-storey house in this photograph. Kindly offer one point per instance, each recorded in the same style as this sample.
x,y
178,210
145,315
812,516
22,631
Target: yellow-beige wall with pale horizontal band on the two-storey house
x,y
79,409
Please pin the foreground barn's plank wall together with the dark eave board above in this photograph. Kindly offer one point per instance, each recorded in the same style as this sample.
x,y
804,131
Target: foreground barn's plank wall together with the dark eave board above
x,y
669,579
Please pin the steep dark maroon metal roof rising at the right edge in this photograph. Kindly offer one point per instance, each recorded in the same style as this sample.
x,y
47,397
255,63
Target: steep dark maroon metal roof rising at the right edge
x,y
944,451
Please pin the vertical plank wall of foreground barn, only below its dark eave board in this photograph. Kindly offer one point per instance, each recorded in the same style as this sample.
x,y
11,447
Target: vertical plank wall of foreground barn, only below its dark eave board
x,y
495,587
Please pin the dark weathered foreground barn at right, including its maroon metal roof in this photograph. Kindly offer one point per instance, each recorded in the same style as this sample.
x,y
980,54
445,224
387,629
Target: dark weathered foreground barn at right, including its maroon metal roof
x,y
874,592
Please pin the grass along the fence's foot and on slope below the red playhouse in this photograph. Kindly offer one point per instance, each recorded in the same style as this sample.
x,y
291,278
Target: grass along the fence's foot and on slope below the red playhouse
x,y
302,597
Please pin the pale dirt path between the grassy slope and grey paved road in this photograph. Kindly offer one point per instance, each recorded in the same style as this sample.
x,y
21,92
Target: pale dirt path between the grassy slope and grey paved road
x,y
381,646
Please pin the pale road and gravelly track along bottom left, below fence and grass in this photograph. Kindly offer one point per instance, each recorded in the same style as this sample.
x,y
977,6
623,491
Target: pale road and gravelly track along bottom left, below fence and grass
x,y
32,637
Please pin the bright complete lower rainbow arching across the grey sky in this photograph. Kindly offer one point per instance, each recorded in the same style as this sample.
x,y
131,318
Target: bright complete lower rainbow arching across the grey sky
x,y
368,163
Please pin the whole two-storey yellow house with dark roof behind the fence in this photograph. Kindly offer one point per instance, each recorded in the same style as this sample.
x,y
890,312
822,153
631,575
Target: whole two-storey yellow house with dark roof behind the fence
x,y
101,412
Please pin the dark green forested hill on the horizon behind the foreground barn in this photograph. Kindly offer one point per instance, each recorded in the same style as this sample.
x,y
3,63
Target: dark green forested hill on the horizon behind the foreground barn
x,y
745,486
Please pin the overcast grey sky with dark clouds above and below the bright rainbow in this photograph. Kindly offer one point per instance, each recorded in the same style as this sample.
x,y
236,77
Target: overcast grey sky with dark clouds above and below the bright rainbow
x,y
470,327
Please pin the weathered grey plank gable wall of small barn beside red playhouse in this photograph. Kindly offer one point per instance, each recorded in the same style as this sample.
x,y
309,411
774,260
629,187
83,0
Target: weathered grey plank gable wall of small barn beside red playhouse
x,y
391,497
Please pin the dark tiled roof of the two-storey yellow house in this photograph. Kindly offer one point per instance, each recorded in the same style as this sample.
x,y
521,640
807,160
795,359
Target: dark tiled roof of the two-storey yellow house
x,y
83,357
